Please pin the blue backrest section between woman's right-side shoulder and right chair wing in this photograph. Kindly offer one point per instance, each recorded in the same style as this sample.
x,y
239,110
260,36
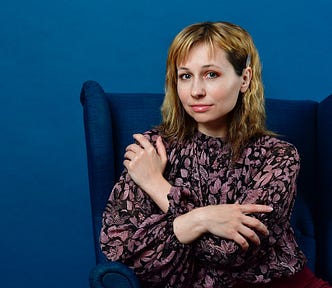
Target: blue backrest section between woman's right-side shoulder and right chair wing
x,y
295,121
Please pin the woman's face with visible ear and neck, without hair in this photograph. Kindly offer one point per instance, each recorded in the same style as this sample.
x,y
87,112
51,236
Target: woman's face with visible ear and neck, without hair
x,y
208,88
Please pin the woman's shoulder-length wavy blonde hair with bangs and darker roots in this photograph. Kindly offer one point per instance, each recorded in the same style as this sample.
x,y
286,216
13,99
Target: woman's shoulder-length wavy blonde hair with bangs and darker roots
x,y
247,120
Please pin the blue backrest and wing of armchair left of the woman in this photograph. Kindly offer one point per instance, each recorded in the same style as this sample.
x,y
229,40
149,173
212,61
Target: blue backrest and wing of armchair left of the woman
x,y
110,120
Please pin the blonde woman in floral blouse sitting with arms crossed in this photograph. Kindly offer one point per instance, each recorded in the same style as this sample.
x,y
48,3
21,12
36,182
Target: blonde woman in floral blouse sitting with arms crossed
x,y
206,197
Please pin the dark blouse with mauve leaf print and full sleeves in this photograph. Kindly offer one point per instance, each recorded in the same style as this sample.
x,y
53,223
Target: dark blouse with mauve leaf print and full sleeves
x,y
136,232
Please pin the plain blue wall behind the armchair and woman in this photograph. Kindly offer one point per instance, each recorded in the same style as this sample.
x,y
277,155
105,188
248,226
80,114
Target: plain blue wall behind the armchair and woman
x,y
48,48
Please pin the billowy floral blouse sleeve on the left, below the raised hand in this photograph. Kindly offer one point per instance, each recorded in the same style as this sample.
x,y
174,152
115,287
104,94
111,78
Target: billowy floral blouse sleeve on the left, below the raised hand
x,y
136,232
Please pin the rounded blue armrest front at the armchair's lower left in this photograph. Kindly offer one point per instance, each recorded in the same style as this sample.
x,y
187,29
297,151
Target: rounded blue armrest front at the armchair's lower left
x,y
113,275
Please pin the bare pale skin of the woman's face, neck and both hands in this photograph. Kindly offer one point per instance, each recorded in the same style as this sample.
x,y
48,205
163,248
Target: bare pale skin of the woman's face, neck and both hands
x,y
208,88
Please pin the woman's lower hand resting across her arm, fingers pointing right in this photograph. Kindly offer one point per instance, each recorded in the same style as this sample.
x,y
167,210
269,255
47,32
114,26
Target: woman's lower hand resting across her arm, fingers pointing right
x,y
228,221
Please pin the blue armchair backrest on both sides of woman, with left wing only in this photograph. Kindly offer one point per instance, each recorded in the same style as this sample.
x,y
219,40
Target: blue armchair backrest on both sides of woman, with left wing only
x,y
111,119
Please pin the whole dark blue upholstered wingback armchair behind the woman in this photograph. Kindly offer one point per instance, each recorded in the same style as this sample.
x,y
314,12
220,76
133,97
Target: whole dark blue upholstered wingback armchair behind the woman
x,y
110,119
